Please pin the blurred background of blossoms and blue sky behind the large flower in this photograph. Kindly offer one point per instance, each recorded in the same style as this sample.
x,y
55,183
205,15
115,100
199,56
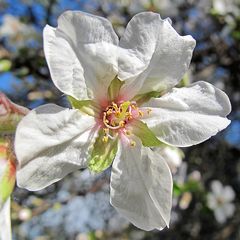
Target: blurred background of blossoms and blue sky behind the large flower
x,y
206,202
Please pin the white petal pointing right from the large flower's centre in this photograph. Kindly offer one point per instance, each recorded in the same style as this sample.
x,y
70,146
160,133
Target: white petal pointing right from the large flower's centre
x,y
189,115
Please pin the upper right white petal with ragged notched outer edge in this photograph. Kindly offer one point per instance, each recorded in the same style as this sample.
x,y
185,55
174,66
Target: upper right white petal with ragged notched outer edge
x,y
155,57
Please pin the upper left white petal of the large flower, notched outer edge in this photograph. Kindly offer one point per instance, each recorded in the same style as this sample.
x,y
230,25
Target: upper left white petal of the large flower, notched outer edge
x,y
81,54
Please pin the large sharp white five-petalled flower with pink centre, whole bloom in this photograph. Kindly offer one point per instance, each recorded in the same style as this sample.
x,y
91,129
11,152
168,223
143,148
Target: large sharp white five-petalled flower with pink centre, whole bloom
x,y
110,84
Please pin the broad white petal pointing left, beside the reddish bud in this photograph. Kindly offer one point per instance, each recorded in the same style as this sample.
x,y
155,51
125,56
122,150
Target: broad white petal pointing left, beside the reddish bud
x,y
51,142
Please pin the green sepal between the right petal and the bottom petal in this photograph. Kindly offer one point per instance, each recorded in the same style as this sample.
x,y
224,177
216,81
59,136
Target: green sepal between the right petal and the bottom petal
x,y
147,137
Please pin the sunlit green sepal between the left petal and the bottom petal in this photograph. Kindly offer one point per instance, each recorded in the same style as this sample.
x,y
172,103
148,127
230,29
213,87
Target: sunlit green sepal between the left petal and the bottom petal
x,y
103,153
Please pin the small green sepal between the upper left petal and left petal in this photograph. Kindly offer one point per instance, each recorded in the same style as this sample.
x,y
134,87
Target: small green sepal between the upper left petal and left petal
x,y
87,106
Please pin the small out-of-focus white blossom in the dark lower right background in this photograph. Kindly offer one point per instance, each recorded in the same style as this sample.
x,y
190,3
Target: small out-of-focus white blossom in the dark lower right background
x,y
220,201
